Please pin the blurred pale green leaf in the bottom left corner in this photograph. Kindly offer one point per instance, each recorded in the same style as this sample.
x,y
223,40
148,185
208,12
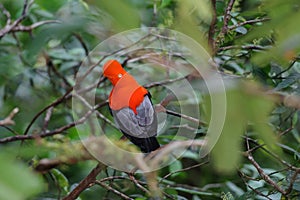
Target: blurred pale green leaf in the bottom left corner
x,y
17,181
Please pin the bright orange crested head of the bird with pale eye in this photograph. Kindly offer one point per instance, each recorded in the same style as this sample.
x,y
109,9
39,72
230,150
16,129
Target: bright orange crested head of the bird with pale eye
x,y
113,70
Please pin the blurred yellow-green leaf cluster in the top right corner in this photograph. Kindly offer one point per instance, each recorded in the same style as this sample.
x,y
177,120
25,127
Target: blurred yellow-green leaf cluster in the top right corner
x,y
285,30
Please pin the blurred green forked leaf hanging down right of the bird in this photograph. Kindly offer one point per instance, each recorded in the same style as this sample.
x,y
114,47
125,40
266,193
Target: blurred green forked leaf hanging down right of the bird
x,y
245,103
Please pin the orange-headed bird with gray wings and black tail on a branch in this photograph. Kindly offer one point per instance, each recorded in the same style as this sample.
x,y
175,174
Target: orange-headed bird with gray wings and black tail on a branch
x,y
131,107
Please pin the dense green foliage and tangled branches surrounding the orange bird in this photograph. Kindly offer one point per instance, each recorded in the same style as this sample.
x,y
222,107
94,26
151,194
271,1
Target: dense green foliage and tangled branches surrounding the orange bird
x,y
254,45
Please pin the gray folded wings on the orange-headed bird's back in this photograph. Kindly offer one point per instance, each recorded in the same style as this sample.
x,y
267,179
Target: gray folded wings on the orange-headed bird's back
x,y
142,125
